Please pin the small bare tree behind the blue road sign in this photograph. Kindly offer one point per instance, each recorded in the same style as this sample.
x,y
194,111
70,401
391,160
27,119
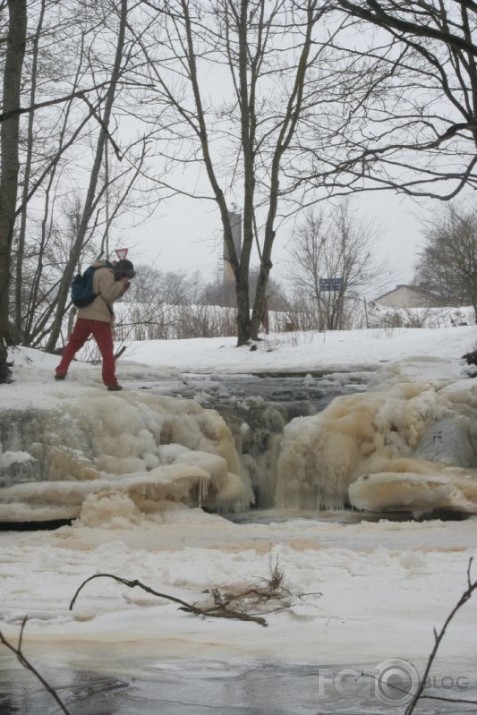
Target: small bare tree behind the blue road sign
x,y
332,263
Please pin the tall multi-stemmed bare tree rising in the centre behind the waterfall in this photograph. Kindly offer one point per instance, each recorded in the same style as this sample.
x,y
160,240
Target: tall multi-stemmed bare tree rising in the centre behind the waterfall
x,y
261,55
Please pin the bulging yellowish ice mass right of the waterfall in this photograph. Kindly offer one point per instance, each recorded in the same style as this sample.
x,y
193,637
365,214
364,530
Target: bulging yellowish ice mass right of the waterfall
x,y
401,437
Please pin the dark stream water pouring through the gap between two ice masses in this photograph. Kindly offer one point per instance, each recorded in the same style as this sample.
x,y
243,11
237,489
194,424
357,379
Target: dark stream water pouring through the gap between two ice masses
x,y
257,407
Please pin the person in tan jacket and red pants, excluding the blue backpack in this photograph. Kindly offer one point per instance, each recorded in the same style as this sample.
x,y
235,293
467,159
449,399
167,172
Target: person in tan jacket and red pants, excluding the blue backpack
x,y
110,282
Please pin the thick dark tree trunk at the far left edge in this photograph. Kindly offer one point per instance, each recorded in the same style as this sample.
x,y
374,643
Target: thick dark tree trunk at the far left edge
x,y
9,139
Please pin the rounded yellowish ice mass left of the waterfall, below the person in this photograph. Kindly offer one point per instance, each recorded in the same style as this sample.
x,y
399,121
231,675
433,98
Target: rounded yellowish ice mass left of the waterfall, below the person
x,y
139,451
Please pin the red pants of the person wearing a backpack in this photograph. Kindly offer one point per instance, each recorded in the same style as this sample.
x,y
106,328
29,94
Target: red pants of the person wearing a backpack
x,y
103,335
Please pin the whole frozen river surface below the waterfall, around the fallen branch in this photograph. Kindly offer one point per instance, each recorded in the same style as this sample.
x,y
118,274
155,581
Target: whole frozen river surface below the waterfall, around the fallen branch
x,y
153,660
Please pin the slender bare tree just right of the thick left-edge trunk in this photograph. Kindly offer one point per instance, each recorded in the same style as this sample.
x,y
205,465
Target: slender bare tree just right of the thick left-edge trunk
x,y
50,58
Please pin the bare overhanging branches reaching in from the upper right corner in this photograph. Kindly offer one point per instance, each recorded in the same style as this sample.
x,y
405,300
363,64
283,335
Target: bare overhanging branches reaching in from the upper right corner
x,y
419,136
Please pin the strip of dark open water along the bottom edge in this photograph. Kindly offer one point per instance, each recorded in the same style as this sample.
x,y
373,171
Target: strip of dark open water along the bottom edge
x,y
261,689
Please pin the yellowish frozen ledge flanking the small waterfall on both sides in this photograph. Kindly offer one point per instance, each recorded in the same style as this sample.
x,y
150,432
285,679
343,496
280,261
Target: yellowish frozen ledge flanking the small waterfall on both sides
x,y
408,443
